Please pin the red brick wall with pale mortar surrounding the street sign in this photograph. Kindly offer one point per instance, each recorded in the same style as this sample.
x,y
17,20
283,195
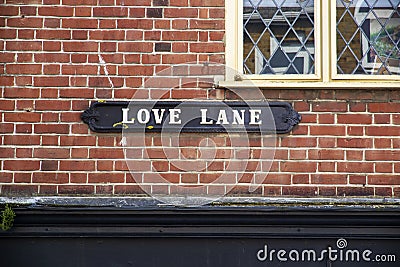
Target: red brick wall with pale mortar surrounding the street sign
x,y
55,58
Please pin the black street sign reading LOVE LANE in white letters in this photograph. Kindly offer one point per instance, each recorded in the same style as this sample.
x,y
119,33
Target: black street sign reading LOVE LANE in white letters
x,y
191,116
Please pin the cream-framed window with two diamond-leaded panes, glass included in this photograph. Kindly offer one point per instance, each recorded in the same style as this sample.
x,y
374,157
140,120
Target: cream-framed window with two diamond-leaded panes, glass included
x,y
303,43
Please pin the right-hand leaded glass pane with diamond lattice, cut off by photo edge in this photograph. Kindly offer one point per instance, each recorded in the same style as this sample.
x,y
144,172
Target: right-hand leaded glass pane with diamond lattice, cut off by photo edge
x,y
368,35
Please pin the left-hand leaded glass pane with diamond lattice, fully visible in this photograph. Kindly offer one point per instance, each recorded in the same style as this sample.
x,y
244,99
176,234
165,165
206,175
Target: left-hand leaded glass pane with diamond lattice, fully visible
x,y
278,37
